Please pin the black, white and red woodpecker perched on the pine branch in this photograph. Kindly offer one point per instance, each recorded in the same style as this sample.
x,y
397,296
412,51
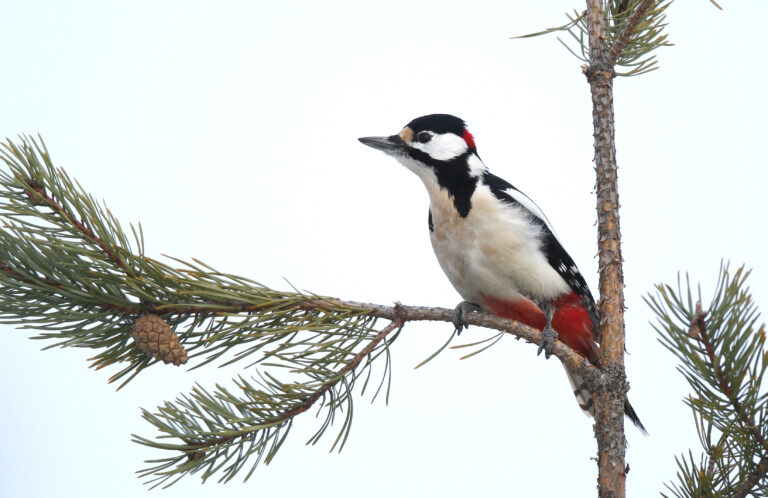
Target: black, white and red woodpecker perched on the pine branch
x,y
494,243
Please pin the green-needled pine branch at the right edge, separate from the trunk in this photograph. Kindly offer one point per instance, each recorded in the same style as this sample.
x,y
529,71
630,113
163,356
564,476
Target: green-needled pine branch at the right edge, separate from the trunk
x,y
722,356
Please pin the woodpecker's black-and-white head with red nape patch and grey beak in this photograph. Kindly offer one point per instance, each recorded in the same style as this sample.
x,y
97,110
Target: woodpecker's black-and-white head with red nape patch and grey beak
x,y
432,144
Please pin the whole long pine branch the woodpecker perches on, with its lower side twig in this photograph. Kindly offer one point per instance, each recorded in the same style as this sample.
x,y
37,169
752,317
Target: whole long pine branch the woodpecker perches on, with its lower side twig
x,y
67,269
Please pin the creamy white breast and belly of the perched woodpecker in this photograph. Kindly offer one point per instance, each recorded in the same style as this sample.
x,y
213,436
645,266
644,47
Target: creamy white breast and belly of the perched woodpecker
x,y
495,251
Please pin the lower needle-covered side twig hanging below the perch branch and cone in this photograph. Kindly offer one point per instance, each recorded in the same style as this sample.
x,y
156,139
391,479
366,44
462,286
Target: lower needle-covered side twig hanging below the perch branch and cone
x,y
253,430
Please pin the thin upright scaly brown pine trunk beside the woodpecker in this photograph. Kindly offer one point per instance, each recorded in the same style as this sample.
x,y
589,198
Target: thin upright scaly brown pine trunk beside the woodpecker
x,y
611,393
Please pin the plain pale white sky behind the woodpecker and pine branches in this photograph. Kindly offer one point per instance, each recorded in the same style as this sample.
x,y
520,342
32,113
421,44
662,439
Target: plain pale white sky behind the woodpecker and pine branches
x,y
229,130
